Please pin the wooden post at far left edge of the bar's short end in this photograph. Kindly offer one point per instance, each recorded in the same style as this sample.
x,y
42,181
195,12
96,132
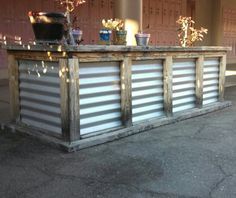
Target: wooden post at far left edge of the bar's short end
x,y
13,71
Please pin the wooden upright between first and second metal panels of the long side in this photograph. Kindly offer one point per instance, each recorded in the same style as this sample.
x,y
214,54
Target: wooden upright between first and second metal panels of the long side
x,y
126,91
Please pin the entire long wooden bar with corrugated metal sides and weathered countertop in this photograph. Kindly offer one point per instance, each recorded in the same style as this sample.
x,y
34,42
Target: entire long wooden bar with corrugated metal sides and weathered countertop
x,y
80,96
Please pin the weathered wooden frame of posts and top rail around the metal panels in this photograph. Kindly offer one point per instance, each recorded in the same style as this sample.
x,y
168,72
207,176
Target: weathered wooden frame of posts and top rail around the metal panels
x,y
69,63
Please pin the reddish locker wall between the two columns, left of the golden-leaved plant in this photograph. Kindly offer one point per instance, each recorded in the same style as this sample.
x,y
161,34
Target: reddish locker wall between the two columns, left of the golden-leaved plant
x,y
159,19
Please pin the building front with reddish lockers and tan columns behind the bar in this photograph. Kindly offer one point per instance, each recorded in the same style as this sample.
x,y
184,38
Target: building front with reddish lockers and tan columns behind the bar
x,y
158,18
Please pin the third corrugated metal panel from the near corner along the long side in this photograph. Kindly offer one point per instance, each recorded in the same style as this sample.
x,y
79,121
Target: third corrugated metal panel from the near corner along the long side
x,y
184,75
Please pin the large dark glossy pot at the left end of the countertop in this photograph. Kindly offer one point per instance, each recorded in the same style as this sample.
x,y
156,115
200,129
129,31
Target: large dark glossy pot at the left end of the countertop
x,y
47,26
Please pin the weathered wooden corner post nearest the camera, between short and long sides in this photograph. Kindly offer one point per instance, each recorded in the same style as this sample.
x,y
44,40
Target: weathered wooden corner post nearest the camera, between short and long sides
x,y
70,112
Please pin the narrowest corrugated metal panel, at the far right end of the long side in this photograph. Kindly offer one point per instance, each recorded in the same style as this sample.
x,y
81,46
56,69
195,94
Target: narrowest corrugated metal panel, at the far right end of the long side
x,y
211,80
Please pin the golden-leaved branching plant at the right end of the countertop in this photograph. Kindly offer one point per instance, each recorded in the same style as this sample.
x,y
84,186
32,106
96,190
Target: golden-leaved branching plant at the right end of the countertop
x,y
188,35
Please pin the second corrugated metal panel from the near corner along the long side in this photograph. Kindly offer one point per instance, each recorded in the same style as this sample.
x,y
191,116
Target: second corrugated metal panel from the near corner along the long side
x,y
147,90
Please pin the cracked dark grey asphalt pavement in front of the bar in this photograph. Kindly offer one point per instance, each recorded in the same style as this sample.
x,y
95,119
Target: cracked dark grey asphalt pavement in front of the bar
x,y
195,158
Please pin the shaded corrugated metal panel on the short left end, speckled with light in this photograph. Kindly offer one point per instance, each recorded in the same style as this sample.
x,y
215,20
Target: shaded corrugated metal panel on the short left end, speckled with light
x,y
40,95
